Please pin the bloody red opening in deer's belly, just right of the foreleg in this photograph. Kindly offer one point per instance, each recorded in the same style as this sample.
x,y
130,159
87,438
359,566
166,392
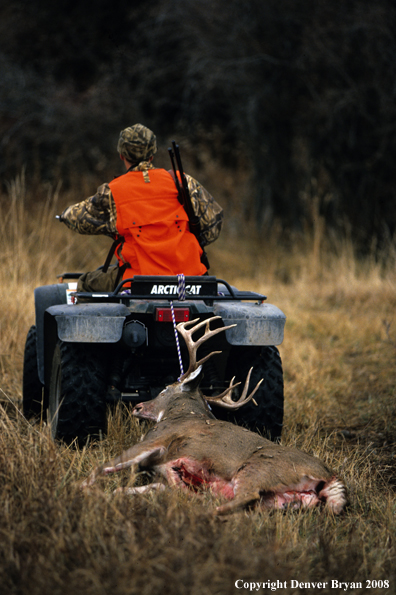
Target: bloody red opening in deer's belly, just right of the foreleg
x,y
190,474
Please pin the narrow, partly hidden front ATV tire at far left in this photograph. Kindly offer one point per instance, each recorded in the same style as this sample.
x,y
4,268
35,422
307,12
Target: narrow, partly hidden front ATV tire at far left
x,y
32,388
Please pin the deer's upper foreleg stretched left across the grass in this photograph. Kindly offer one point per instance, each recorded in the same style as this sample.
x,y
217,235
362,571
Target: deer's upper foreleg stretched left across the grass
x,y
137,455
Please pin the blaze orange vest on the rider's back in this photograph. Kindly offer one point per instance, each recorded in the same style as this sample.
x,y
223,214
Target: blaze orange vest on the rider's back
x,y
154,225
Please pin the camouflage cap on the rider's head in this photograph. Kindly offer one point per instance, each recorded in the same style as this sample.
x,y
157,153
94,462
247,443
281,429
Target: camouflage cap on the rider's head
x,y
137,143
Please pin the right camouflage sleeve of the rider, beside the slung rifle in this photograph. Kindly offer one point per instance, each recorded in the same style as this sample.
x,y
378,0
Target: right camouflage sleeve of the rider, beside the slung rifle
x,y
208,211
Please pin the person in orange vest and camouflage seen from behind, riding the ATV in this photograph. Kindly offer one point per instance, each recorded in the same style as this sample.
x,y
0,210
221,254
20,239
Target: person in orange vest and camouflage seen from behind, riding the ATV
x,y
141,211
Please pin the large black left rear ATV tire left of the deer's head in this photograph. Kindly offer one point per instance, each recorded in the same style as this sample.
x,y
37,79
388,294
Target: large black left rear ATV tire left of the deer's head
x,y
77,392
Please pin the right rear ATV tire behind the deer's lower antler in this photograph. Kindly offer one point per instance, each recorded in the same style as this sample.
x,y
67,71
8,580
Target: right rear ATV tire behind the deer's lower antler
x,y
267,416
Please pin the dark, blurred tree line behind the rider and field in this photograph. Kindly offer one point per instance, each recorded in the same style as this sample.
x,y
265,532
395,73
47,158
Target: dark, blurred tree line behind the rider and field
x,y
298,93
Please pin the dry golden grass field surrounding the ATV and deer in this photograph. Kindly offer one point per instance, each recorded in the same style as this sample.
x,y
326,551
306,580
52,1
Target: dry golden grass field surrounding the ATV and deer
x,y
339,357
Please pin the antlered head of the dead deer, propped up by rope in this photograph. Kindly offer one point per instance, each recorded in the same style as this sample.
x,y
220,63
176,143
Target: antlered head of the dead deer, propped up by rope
x,y
172,398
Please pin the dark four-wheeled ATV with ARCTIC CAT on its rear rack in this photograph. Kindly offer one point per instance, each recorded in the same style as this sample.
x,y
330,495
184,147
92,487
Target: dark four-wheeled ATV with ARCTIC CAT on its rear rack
x,y
88,351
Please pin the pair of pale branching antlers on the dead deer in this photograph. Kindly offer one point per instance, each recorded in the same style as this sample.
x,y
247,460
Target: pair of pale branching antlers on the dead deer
x,y
224,399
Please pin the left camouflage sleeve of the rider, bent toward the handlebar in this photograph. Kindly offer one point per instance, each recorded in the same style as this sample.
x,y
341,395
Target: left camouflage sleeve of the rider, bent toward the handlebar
x,y
95,215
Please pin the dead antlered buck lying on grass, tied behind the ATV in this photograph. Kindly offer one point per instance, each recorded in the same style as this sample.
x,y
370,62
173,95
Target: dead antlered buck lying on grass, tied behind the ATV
x,y
191,449
